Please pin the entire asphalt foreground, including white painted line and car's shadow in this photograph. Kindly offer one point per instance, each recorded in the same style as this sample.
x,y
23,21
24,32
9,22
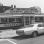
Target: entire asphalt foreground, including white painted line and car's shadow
x,y
24,40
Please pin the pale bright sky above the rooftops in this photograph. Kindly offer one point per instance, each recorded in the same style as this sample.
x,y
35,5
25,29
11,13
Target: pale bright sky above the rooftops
x,y
24,3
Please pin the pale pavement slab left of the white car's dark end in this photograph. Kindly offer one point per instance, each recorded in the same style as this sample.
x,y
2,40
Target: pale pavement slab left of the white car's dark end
x,y
8,33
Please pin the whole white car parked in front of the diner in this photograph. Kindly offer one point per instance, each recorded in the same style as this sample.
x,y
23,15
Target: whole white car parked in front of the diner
x,y
33,29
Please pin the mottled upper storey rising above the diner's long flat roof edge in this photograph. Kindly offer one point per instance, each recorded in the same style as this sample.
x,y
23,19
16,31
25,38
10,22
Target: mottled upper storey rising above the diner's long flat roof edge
x,y
24,10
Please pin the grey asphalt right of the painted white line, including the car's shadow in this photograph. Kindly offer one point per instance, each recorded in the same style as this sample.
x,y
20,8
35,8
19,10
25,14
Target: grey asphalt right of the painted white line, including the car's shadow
x,y
29,40
